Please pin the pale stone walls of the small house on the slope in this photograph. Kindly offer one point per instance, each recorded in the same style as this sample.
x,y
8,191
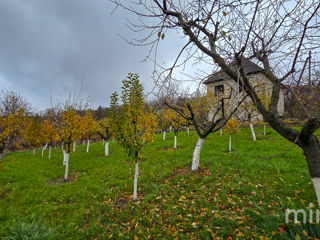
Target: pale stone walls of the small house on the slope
x,y
263,87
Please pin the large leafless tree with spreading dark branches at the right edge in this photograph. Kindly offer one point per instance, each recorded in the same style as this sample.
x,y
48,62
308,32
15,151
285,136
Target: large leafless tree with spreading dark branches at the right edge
x,y
278,37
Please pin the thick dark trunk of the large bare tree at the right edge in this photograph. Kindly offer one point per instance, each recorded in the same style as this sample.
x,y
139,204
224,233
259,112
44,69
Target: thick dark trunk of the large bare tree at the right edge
x,y
312,154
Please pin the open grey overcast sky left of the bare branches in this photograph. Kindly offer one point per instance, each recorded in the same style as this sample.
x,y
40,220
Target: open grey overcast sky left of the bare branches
x,y
47,47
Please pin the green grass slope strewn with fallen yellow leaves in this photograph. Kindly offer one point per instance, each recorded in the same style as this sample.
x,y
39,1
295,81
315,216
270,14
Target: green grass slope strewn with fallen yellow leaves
x,y
242,194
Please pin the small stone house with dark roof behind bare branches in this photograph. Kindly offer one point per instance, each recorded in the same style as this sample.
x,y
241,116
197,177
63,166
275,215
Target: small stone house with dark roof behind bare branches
x,y
220,84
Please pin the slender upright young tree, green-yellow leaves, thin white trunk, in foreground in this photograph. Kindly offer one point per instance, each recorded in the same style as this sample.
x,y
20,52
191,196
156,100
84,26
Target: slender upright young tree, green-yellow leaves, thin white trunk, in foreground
x,y
133,127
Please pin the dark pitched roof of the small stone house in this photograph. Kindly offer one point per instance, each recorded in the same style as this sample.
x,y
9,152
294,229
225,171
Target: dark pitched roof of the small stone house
x,y
248,67
